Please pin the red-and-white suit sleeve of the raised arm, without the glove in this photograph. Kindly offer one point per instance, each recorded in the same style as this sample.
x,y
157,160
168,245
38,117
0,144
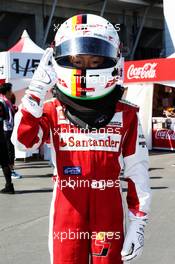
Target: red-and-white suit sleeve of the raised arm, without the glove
x,y
29,132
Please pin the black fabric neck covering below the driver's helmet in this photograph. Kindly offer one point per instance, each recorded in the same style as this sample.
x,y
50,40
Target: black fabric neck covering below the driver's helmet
x,y
92,113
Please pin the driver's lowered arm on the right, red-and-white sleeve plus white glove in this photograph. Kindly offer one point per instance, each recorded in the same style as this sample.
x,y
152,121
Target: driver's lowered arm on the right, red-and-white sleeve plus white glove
x,y
135,155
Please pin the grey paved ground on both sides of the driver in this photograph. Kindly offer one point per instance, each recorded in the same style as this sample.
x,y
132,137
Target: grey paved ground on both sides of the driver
x,y
24,216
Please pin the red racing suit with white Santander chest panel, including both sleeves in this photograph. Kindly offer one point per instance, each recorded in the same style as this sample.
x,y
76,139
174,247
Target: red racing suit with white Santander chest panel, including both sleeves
x,y
86,216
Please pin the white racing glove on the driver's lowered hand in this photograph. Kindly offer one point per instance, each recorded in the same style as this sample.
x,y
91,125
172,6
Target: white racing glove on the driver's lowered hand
x,y
134,240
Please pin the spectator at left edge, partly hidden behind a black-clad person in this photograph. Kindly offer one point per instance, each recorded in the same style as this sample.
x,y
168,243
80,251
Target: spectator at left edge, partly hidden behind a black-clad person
x,y
6,90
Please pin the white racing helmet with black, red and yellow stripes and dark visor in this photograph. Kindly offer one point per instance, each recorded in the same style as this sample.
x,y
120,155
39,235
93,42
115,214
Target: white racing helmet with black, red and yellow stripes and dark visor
x,y
88,34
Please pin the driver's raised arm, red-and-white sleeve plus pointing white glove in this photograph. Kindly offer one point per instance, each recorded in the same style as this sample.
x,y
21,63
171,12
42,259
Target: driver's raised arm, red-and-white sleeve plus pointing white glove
x,y
31,123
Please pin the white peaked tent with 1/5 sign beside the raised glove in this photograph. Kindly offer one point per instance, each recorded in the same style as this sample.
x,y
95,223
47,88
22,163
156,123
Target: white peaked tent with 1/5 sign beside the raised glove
x,y
18,64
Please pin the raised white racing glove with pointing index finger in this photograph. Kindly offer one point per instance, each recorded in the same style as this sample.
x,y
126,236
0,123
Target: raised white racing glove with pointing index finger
x,y
43,79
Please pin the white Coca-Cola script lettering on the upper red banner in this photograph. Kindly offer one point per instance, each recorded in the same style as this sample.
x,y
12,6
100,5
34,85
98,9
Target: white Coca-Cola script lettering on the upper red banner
x,y
147,71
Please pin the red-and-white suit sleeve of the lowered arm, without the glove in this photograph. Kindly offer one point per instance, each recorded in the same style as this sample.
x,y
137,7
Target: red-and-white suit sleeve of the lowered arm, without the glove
x,y
135,154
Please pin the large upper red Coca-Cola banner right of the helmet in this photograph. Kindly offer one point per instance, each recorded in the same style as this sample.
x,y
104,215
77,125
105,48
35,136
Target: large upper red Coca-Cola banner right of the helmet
x,y
155,70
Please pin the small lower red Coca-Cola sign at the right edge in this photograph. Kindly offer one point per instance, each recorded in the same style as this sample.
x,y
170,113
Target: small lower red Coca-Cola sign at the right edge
x,y
164,139
